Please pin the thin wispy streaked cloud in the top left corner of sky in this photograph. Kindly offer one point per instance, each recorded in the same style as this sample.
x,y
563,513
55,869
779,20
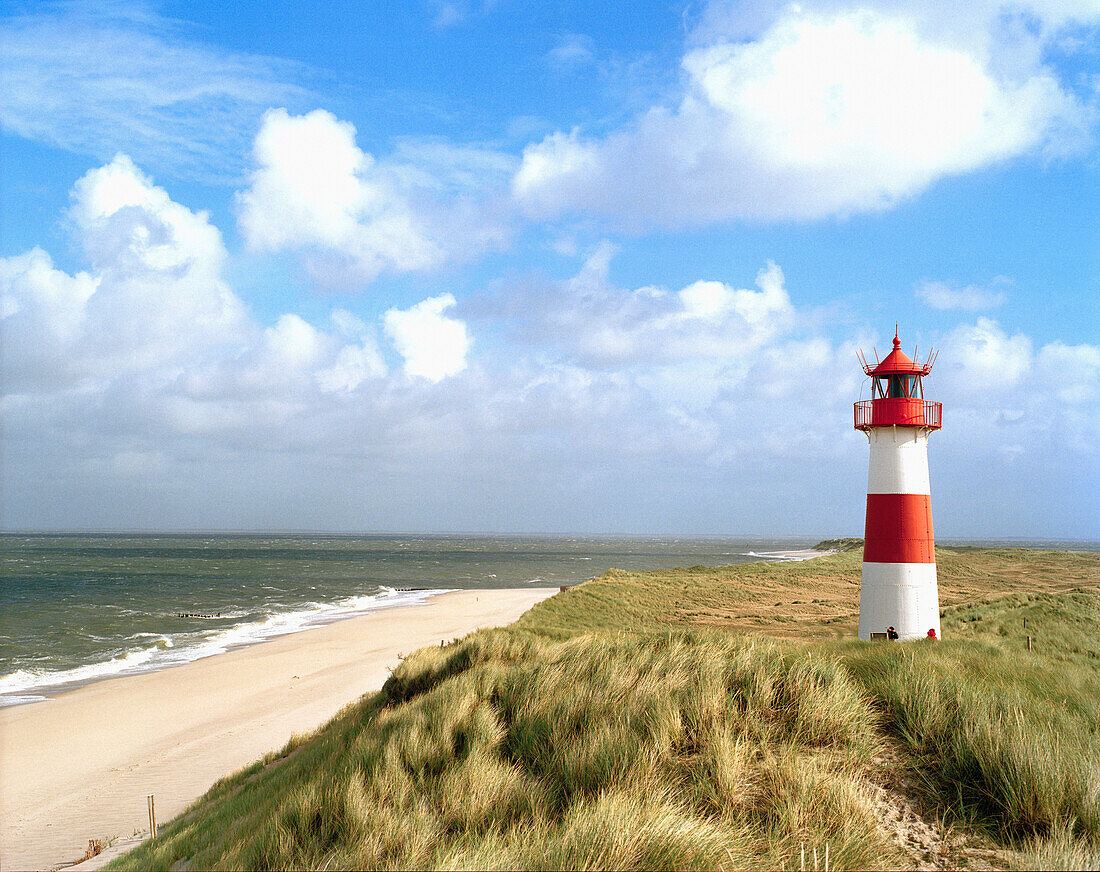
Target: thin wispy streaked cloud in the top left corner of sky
x,y
95,82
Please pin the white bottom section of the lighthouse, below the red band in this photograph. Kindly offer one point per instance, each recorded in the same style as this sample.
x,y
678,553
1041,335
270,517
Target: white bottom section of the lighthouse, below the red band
x,y
899,595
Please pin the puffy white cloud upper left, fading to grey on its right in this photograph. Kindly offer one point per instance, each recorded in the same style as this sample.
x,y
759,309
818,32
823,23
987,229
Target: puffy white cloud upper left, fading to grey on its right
x,y
316,192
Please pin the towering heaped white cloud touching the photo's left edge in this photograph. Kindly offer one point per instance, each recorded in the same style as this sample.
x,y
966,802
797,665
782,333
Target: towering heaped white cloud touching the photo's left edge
x,y
155,295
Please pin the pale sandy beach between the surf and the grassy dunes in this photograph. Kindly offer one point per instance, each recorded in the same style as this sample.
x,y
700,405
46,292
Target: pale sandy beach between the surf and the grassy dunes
x,y
80,766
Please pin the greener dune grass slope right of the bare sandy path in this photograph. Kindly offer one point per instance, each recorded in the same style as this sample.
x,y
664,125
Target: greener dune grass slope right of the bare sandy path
x,y
1005,737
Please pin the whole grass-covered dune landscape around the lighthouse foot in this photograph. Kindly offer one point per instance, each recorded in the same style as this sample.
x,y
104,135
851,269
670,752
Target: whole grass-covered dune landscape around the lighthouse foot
x,y
712,719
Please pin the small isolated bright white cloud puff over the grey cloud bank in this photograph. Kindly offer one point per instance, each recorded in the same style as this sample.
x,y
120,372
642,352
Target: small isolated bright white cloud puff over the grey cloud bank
x,y
434,346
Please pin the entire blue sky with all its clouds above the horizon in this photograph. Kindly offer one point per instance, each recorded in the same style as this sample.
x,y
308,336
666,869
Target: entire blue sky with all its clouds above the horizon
x,y
490,267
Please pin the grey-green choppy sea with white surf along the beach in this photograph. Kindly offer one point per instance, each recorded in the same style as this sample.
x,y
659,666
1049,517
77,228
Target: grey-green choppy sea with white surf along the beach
x,y
81,609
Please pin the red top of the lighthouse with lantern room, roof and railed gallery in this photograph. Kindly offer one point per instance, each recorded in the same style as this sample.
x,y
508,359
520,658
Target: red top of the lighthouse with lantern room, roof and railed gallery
x,y
898,394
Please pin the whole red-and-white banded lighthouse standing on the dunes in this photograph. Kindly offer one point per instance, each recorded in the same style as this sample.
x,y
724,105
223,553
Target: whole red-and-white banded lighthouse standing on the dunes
x,y
898,589
